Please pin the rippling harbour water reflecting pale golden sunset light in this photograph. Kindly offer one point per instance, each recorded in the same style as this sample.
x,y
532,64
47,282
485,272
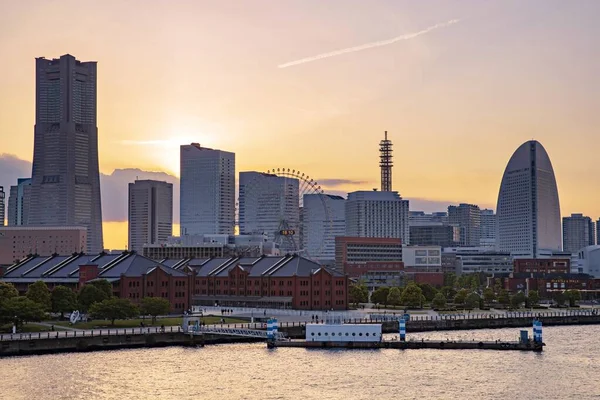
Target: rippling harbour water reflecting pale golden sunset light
x,y
568,368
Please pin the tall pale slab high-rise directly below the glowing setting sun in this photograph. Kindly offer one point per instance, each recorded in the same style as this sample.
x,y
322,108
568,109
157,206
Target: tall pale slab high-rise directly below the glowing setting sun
x,y
207,191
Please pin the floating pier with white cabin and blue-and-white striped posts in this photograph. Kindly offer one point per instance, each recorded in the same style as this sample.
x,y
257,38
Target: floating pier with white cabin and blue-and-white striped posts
x,y
369,336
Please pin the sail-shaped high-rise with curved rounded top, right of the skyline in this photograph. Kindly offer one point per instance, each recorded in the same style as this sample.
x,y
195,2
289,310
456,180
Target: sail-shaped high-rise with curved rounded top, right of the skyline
x,y
528,210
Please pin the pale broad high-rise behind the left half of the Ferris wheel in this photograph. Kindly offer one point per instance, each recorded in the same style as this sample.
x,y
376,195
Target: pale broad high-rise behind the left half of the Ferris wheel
x,y
270,204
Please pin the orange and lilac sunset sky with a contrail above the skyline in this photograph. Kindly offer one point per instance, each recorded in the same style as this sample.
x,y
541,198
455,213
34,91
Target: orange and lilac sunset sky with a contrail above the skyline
x,y
463,84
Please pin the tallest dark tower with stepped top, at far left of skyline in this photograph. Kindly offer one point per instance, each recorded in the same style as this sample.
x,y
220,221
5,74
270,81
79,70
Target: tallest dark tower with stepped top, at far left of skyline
x,y
65,180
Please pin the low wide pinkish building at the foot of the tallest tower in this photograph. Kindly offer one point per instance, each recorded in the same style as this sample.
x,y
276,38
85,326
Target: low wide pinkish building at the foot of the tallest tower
x,y
18,242
